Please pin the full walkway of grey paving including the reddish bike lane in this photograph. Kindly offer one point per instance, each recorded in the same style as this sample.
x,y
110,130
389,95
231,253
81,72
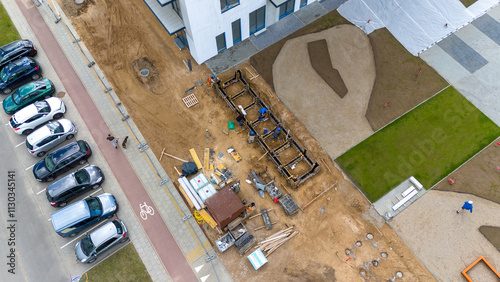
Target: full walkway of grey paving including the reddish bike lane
x,y
181,247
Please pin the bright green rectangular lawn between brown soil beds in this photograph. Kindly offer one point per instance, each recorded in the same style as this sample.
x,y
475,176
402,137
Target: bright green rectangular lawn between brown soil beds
x,y
429,143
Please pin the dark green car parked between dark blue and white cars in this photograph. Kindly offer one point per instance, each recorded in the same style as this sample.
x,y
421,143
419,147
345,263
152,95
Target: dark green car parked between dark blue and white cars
x,y
27,94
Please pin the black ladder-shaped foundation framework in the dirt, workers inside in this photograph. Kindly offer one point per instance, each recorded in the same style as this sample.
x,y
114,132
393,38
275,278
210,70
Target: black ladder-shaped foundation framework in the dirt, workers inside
x,y
285,168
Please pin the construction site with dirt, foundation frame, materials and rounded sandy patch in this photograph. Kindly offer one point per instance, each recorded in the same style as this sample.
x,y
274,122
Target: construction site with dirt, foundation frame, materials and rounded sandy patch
x,y
253,155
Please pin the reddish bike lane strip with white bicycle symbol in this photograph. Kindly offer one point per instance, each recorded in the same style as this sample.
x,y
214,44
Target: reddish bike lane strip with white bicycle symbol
x,y
160,237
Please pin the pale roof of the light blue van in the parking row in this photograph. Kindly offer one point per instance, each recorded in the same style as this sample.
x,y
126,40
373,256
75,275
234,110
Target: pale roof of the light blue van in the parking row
x,y
70,215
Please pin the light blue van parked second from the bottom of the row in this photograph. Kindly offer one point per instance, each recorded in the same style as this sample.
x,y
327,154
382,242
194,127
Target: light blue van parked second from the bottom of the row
x,y
70,220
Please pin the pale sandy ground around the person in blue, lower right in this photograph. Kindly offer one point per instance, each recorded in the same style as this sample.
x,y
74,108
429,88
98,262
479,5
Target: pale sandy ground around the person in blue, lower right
x,y
451,242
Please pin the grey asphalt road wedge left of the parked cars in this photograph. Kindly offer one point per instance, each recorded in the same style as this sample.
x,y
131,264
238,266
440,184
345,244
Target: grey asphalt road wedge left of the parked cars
x,y
37,256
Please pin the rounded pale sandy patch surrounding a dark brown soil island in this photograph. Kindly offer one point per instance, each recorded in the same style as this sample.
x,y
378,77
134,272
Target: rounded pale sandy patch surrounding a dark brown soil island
x,y
337,123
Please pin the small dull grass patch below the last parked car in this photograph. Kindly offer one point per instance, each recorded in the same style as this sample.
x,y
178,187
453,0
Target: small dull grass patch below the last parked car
x,y
125,265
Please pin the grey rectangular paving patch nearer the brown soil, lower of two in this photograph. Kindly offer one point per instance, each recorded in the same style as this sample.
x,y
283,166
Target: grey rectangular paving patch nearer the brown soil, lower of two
x,y
462,53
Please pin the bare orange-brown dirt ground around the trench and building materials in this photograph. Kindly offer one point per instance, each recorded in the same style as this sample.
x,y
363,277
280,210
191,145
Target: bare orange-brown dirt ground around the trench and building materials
x,y
124,36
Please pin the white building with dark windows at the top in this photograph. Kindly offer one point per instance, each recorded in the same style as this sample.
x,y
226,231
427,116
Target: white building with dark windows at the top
x,y
207,27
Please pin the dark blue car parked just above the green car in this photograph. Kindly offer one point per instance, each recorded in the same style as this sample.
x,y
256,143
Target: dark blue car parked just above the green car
x,y
18,72
